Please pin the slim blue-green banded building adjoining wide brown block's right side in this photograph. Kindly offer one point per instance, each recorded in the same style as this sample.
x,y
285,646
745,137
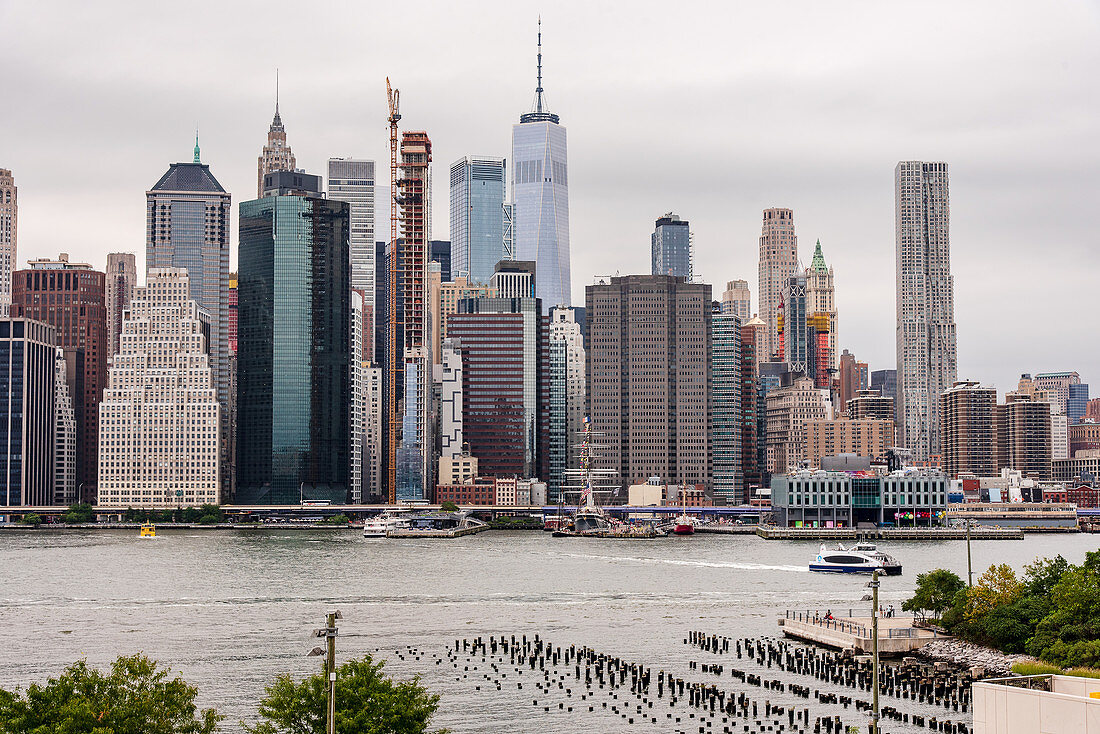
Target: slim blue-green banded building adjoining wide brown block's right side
x,y
727,408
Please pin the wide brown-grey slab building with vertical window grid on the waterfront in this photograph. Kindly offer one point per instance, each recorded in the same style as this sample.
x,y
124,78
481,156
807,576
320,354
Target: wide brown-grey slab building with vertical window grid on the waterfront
x,y
650,378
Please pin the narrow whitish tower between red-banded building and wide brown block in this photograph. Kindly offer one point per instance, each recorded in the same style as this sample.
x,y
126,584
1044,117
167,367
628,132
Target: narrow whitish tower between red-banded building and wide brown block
x,y
567,393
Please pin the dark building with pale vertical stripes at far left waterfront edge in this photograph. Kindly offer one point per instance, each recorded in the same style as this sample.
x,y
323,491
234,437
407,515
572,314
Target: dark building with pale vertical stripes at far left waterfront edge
x,y
27,421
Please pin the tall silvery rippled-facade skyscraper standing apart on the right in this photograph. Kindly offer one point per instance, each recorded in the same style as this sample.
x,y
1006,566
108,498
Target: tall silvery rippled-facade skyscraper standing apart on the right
x,y
927,355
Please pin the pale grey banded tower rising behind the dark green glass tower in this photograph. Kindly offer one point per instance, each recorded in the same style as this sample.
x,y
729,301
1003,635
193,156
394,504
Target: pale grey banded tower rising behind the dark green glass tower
x,y
353,181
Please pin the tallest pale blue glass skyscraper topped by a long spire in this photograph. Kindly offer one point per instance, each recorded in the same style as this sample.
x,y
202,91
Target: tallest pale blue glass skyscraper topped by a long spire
x,y
541,198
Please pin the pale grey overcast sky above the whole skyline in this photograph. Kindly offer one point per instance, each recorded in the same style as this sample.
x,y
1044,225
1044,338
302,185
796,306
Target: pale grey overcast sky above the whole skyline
x,y
711,111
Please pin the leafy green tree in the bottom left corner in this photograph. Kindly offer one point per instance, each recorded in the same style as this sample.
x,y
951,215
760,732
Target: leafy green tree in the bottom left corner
x,y
134,698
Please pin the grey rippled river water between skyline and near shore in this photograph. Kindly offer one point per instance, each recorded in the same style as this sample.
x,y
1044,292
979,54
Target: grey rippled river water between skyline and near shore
x,y
232,609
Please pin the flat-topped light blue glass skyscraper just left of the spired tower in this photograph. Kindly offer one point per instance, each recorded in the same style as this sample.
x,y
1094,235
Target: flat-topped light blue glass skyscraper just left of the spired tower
x,y
478,226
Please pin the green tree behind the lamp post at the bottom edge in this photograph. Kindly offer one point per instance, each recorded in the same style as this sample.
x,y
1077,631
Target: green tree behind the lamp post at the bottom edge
x,y
368,703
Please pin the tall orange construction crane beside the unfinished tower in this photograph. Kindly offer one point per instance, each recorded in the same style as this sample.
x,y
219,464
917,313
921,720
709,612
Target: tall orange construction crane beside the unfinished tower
x,y
393,96
